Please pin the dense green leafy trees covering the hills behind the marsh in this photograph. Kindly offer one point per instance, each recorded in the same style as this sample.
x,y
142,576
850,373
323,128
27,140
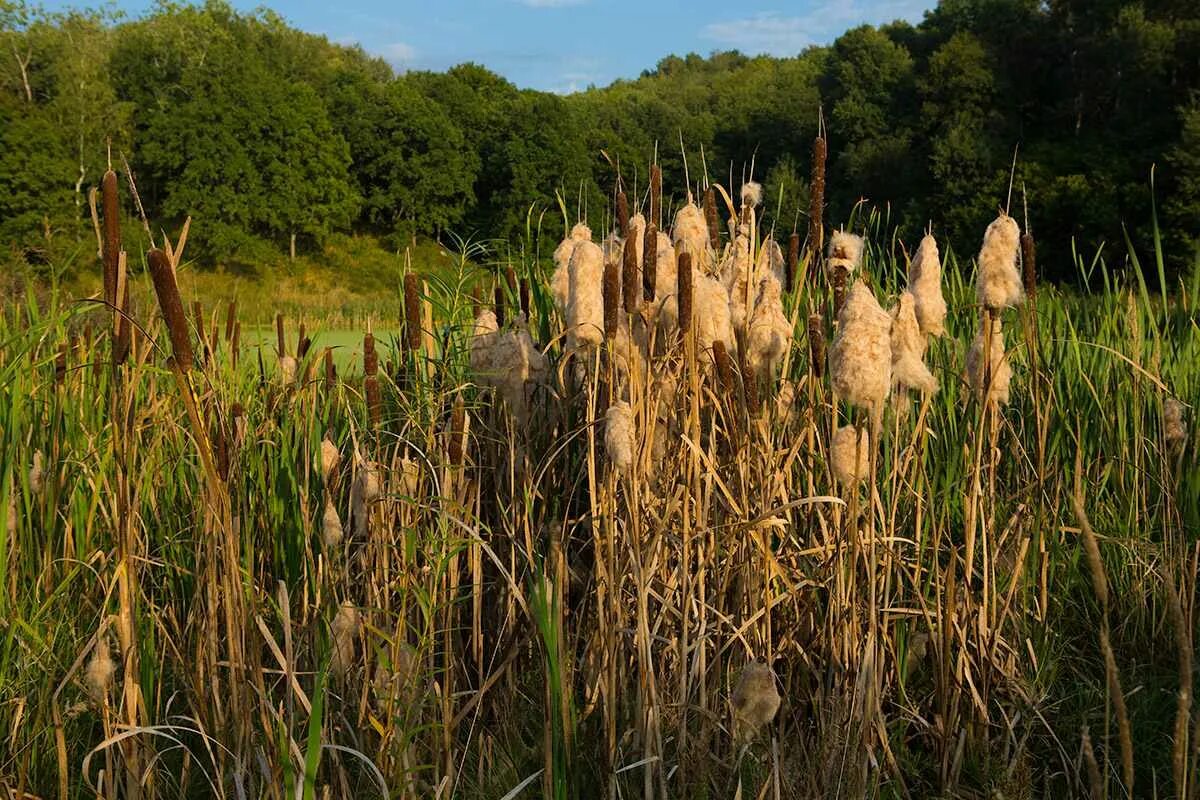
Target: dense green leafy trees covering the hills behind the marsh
x,y
273,139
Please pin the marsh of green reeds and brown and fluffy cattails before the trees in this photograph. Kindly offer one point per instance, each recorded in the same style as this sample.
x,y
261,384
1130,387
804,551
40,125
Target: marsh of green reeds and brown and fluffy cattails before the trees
x,y
586,552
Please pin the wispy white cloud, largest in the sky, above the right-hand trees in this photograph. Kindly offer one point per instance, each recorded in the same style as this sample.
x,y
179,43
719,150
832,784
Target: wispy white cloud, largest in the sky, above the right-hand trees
x,y
778,35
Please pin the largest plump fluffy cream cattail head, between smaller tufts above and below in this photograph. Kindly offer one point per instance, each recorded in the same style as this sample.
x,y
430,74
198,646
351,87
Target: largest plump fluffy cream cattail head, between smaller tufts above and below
x,y
861,357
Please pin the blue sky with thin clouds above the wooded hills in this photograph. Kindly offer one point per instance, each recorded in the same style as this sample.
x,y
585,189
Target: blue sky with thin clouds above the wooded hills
x,y
567,45
